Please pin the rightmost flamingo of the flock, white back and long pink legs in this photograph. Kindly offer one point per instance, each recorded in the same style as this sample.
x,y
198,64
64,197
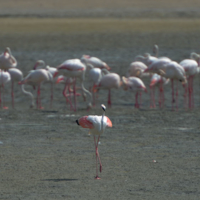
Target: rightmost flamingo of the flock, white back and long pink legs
x,y
191,69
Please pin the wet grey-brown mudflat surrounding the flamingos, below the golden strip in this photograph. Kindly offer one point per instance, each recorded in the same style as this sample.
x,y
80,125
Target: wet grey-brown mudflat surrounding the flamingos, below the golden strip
x,y
148,154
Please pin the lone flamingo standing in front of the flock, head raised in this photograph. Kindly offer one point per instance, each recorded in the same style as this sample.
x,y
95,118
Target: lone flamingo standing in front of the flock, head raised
x,y
97,126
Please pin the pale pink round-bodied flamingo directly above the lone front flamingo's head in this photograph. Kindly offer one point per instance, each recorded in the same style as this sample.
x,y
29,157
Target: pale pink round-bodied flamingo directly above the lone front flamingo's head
x,y
109,81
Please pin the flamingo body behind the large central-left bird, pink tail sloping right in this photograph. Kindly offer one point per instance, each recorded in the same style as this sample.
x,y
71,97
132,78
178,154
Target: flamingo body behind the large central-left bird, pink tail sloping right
x,y
96,62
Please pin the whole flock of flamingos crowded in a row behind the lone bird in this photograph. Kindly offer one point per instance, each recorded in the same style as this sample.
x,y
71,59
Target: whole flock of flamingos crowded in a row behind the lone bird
x,y
77,73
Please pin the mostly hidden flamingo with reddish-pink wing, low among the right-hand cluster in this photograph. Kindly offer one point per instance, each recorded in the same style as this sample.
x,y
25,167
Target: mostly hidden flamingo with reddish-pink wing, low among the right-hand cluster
x,y
157,80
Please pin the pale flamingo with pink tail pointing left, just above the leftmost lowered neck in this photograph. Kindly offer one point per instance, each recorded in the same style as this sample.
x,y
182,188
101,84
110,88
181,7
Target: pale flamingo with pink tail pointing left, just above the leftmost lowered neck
x,y
35,78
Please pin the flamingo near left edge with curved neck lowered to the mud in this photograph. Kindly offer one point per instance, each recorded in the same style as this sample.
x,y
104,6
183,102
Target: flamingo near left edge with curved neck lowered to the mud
x,y
16,76
